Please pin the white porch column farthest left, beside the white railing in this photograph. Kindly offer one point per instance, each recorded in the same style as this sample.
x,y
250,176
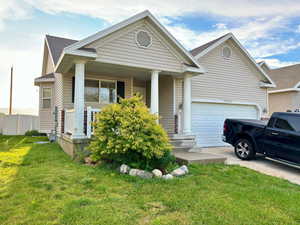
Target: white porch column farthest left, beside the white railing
x,y
79,100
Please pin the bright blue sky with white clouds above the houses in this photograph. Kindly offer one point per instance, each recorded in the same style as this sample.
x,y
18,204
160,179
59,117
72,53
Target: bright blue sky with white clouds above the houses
x,y
268,29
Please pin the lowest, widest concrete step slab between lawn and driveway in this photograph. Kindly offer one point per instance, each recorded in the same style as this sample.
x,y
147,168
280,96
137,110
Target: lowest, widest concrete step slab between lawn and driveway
x,y
198,157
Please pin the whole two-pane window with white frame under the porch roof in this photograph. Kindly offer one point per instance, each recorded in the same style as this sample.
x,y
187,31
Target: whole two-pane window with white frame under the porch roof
x,y
100,91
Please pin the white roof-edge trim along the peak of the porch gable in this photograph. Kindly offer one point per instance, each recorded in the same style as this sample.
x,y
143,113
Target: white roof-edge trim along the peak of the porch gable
x,y
125,23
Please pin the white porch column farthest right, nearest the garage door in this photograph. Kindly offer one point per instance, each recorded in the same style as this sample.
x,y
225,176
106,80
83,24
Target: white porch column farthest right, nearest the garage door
x,y
187,104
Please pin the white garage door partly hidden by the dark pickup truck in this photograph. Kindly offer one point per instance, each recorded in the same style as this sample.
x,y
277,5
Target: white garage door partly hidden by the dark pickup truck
x,y
208,120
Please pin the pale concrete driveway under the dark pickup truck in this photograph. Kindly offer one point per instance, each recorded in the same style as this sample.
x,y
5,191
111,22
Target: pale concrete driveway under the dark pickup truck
x,y
261,164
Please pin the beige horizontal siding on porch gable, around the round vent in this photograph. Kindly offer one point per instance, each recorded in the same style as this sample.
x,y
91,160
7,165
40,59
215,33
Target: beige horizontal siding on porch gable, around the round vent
x,y
121,48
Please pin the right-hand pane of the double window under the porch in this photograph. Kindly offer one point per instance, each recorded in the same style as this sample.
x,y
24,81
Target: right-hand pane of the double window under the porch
x,y
108,92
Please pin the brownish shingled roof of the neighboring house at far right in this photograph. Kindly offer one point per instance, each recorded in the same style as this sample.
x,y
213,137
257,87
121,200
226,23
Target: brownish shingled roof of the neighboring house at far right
x,y
285,77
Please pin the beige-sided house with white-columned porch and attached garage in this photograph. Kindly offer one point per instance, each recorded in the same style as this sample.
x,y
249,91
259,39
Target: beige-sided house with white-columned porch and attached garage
x,y
193,92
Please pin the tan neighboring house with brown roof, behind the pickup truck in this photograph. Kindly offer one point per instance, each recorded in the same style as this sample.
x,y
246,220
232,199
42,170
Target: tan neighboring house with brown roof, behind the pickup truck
x,y
286,95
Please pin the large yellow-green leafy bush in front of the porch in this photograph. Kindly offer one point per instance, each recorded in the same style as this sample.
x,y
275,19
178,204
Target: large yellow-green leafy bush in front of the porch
x,y
128,133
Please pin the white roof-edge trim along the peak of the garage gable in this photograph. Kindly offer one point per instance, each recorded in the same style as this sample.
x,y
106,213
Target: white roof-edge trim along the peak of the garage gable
x,y
225,38
